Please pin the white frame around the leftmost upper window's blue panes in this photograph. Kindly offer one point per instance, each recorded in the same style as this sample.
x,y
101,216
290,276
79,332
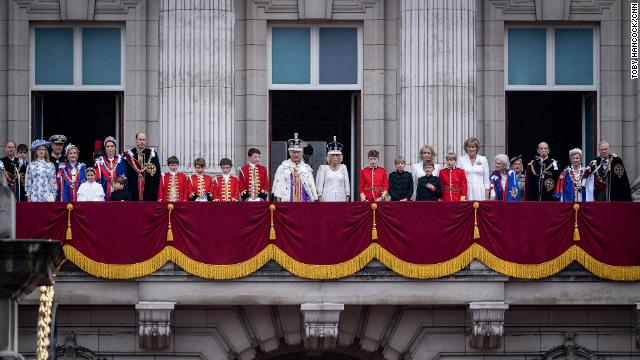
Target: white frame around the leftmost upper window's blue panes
x,y
77,58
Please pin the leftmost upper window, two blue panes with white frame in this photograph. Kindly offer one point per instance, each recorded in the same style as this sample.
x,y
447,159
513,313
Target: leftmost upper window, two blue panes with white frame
x,y
68,57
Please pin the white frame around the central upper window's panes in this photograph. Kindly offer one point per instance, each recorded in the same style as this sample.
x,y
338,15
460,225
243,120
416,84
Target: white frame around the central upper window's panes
x,y
314,44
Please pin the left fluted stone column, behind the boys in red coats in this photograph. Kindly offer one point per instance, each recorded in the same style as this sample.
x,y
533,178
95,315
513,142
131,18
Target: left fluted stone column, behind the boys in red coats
x,y
196,80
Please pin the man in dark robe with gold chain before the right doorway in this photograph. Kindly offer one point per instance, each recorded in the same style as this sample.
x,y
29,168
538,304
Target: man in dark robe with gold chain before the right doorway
x,y
541,176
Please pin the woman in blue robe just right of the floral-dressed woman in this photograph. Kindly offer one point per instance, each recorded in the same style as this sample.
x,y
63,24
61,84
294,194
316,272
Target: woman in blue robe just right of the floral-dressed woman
x,y
71,174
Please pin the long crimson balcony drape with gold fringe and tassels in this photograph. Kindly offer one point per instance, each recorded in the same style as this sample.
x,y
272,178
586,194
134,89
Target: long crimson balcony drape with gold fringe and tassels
x,y
331,240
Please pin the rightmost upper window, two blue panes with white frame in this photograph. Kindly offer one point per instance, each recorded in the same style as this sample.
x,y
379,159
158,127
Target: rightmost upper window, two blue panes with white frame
x,y
551,58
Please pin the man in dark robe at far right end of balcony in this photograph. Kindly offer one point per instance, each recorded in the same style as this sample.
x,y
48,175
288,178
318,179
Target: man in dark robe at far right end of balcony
x,y
607,177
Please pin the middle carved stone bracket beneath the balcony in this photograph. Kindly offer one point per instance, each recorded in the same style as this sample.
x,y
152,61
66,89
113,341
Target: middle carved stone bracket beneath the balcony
x,y
321,322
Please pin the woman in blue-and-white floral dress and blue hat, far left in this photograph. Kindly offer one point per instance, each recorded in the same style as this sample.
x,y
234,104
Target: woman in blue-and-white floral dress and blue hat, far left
x,y
40,179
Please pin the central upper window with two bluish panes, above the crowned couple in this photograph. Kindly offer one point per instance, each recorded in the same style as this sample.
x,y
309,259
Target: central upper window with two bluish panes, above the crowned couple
x,y
315,57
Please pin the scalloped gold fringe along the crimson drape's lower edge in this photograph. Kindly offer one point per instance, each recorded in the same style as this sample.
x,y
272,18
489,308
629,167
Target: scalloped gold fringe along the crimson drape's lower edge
x,y
349,267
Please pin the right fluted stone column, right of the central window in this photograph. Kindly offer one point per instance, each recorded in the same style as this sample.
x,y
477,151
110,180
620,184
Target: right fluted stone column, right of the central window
x,y
438,75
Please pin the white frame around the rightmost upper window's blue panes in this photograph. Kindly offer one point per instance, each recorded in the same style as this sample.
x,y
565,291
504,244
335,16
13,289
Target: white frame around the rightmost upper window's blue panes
x,y
550,59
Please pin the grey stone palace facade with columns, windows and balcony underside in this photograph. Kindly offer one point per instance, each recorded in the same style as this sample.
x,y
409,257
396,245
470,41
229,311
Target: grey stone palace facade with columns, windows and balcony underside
x,y
212,78
